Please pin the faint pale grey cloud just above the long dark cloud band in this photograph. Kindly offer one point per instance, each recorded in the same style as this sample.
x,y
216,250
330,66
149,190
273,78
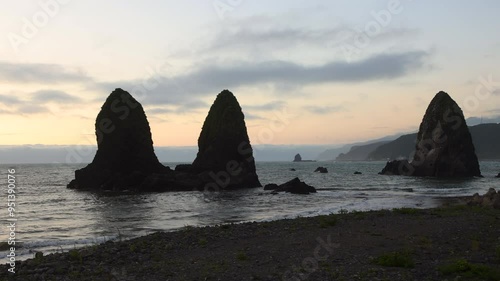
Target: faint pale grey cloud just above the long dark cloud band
x,y
267,35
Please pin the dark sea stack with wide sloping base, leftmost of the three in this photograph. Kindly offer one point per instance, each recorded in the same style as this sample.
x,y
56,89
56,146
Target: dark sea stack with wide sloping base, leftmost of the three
x,y
125,154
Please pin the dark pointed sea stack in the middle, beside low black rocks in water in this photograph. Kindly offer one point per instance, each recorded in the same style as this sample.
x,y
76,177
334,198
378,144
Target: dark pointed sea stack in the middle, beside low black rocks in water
x,y
225,156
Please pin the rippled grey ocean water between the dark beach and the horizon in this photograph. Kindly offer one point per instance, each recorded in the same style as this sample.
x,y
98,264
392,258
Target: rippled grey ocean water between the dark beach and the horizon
x,y
52,218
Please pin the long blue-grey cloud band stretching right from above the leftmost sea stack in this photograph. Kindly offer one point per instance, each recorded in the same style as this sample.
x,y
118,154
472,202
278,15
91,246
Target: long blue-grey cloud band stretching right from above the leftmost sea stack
x,y
210,79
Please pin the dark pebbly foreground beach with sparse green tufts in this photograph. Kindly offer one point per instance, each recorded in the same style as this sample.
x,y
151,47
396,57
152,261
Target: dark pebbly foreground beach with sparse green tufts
x,y
402,244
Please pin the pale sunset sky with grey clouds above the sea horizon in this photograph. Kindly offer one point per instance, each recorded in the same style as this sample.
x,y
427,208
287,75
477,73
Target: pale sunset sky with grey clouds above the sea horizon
x,y
304,72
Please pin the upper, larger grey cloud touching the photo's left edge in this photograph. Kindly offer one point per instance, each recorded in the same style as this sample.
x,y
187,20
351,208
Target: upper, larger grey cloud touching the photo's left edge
x,y
40,73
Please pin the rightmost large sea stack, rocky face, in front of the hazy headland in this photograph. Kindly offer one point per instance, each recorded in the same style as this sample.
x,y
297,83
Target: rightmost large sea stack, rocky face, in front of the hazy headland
x,y
444,144
